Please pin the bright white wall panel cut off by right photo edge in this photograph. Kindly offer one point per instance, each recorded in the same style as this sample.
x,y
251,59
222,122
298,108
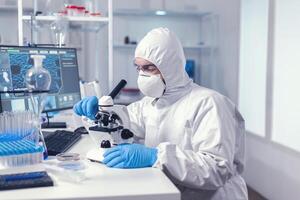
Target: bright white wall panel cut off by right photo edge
x,y
286,92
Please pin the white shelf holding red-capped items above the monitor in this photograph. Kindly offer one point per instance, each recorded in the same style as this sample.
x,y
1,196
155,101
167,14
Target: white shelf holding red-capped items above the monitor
x,y
70,18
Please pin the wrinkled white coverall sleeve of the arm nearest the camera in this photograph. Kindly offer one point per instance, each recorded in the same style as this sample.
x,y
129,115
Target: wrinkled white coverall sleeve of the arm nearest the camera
x,y
209,164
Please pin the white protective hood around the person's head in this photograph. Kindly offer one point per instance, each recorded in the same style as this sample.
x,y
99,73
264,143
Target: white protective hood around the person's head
x,y
162,47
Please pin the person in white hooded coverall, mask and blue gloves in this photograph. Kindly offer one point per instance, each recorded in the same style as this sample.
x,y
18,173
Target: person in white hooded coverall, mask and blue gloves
x,y
195,135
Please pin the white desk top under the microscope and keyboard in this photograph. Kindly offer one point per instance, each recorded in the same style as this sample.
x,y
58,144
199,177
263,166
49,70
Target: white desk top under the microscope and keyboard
x,y
104,183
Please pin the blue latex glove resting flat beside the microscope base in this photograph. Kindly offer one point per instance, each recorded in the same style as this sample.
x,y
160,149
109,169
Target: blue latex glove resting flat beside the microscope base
x,y
130,156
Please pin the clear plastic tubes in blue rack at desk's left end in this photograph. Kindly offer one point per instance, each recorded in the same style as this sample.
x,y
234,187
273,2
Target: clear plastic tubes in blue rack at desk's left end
x,y
19,139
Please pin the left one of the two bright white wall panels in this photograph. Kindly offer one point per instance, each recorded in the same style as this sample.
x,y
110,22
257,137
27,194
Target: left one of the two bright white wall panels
x,y
253,64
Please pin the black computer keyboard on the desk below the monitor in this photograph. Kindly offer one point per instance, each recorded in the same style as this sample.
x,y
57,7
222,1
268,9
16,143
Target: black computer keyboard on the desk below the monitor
x,y
60,141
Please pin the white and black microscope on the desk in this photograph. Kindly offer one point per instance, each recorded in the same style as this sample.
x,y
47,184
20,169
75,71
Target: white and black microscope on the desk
x,y
111,125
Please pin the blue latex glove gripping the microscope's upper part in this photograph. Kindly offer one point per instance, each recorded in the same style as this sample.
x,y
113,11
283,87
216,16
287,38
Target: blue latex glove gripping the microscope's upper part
x,y
87,107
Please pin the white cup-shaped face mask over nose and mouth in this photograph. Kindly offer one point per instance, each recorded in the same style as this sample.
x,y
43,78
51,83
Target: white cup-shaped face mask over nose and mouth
x,y
151,85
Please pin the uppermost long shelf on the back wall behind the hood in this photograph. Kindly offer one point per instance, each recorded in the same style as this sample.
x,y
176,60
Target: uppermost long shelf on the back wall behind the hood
x,y
134,12
